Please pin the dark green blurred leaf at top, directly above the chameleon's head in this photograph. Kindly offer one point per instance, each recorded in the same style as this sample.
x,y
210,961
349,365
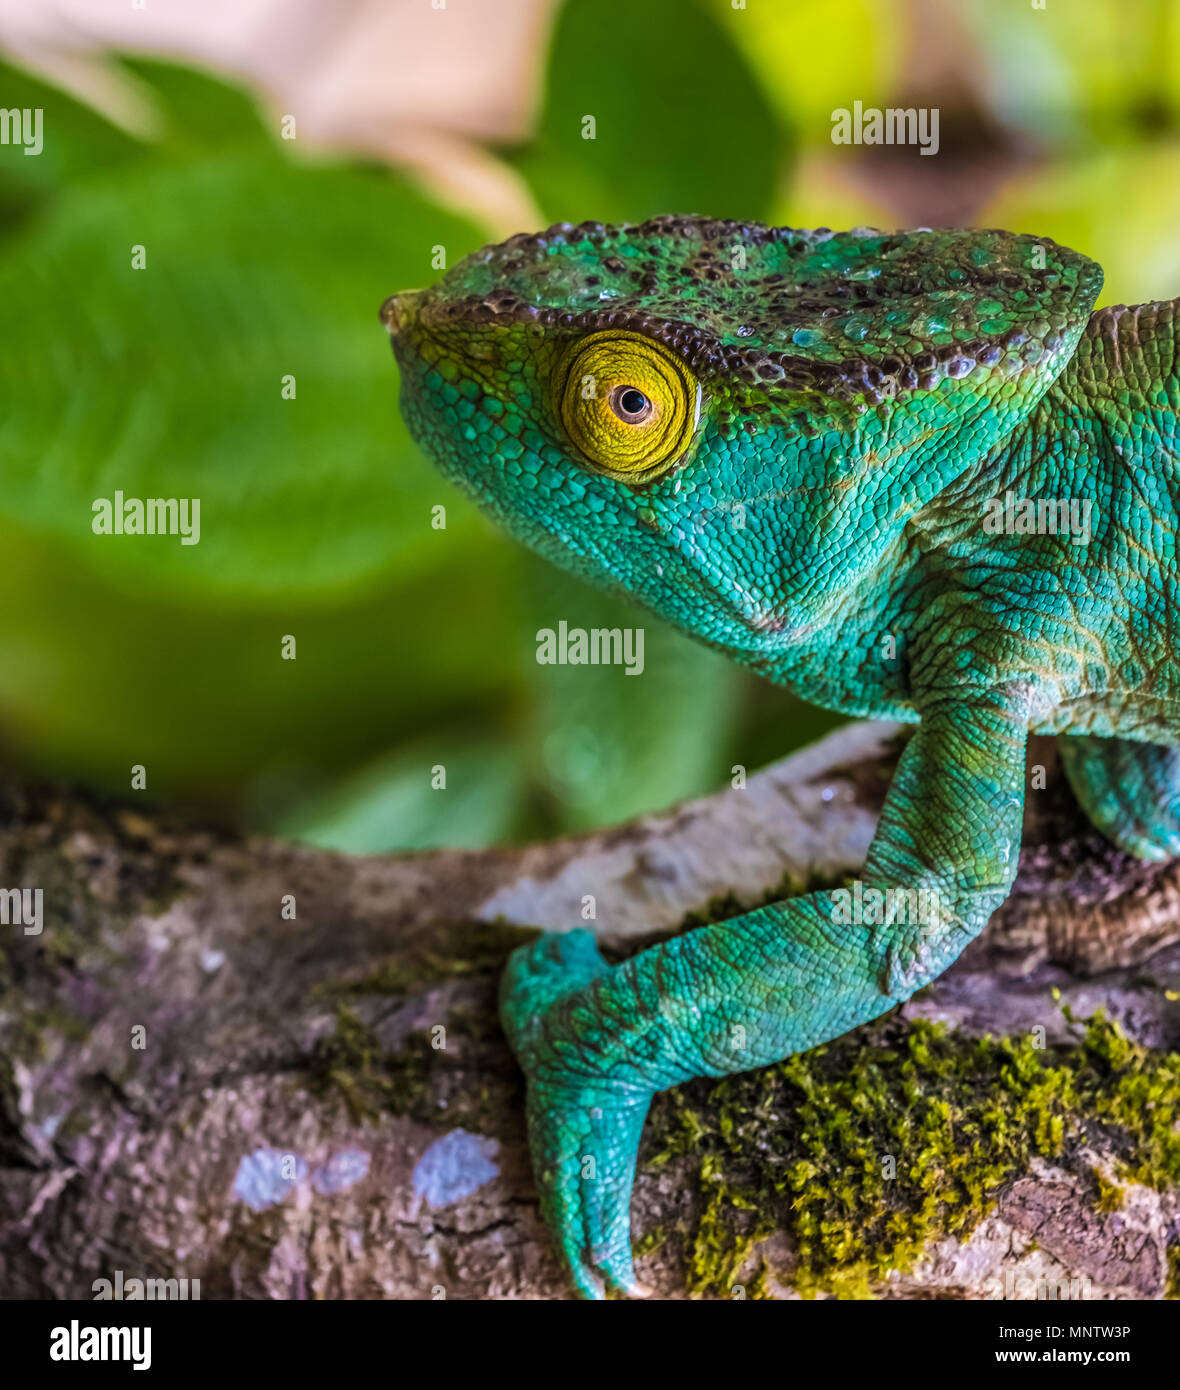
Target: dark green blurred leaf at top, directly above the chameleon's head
x,y
650,109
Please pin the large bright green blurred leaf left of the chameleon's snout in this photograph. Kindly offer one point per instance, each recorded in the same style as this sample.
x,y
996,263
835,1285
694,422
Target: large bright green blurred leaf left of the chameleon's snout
x,y
169,382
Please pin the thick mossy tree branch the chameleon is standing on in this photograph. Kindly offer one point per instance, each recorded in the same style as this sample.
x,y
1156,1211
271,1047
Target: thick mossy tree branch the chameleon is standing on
x,y
195,1085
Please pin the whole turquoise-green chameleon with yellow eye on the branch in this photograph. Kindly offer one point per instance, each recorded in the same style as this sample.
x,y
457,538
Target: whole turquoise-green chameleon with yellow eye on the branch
x,y
787,444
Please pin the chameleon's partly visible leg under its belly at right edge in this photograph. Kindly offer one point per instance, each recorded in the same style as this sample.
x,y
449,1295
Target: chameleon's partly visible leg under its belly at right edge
x,y
1131,792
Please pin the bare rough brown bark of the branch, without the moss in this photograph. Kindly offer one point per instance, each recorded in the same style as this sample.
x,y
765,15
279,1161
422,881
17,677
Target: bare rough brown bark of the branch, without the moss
x,y
195,1086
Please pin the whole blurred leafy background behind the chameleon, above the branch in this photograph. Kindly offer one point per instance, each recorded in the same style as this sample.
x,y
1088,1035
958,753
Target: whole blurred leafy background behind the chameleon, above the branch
x,y
422,124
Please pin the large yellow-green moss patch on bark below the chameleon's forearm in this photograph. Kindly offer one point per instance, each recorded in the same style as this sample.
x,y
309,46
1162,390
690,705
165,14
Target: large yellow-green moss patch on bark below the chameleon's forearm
x,y
869,1149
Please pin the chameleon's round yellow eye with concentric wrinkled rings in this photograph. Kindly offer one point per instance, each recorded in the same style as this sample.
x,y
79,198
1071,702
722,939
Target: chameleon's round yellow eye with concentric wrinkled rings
x,y
628,404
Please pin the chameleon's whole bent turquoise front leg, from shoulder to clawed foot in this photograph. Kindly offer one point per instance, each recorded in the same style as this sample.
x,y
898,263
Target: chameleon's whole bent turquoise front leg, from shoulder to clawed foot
x,y
597,1043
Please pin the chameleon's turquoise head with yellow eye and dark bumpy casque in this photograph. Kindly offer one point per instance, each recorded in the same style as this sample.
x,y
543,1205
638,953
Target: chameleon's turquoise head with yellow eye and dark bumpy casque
x,y
730,422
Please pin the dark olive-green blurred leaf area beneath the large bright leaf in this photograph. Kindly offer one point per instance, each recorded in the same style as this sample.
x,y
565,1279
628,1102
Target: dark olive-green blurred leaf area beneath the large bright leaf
x,y
98,678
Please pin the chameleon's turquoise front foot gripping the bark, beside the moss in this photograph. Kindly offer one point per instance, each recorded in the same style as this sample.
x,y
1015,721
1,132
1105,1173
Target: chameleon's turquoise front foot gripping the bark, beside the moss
x,y
583,1131
